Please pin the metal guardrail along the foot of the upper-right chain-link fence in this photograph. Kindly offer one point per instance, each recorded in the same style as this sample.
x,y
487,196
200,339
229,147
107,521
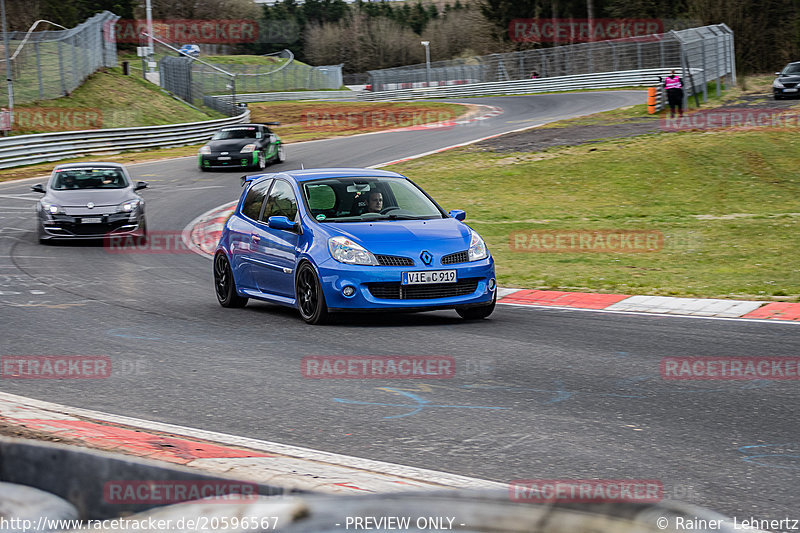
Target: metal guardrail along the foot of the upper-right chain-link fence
x,y
600,80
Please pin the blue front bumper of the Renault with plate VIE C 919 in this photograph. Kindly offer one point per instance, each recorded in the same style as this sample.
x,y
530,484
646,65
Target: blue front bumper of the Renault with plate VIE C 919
x,y
379,287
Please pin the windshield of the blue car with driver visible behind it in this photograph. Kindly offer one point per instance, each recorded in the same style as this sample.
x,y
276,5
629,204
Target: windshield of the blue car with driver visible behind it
x,y
359,199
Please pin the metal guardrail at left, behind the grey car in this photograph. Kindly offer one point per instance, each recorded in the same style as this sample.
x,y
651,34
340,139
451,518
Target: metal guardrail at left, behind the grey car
x,y
43,147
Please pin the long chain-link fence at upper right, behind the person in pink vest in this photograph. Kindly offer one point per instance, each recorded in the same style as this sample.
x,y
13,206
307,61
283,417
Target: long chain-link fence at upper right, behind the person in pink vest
x,y
709,48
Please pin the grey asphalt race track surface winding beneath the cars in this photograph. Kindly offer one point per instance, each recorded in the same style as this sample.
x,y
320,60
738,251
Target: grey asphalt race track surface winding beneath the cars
x,y
539,393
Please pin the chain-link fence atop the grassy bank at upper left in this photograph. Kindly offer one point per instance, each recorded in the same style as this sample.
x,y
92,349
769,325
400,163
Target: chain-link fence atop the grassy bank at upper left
x,y
50,64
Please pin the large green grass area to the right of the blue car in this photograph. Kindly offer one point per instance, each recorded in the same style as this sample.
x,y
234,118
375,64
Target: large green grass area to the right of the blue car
x,y
727,204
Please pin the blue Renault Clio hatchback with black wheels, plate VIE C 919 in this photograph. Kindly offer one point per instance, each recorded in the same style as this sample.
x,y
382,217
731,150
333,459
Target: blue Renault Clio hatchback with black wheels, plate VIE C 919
x,y
350,239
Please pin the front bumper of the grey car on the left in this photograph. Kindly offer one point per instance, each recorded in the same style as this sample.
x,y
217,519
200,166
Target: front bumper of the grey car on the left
x,y
71,227
